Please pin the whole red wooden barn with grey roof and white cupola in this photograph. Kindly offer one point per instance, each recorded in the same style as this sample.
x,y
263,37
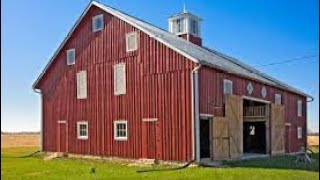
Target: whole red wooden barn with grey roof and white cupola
x,y
119,86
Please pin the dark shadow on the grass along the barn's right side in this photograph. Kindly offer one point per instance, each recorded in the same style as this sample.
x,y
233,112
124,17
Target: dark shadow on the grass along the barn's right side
x,y
278,162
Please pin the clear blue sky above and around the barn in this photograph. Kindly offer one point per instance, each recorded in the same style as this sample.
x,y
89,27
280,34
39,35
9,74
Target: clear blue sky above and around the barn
x,y
256,32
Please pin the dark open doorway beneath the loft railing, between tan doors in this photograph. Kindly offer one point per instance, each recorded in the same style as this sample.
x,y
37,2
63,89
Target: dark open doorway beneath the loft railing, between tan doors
x,y
254,137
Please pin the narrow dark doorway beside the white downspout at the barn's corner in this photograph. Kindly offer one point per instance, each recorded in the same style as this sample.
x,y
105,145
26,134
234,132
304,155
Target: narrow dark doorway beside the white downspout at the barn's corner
x,y
204,138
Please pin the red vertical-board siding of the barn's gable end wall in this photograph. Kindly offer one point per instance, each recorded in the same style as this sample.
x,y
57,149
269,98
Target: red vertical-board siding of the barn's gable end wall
x,y
158,86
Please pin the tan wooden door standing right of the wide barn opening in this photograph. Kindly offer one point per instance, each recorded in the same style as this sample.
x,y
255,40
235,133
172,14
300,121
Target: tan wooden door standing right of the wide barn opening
x,y
277,129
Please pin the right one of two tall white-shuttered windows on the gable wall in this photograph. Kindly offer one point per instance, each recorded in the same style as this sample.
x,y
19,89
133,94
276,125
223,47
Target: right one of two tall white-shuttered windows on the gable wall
x,y
119,79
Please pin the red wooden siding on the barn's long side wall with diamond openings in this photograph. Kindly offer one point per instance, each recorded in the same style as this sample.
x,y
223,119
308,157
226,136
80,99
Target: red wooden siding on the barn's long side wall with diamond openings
x,y
212,101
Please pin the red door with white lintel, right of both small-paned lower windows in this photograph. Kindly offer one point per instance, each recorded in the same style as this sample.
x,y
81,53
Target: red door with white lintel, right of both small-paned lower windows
x,y
151,139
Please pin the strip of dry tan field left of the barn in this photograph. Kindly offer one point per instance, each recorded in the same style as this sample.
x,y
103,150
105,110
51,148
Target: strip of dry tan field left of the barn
x,y
19,140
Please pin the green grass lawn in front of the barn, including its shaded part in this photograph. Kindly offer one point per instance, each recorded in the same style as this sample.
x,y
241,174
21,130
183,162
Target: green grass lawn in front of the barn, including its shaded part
x,y
36,168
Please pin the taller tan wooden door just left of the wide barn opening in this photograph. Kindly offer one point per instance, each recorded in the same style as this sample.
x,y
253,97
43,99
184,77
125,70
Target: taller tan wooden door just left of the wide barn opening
x,y
234,114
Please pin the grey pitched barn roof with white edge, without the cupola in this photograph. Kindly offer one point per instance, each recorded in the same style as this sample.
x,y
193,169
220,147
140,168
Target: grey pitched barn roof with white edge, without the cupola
x,y
198,54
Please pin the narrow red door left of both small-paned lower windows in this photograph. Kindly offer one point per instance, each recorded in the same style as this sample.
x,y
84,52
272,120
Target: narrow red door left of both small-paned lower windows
x,y
62,136
